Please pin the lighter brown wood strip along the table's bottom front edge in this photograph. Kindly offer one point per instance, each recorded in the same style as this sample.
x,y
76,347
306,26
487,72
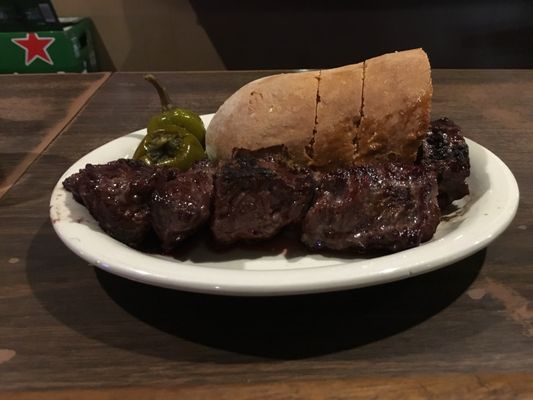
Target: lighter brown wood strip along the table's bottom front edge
x,y
450,386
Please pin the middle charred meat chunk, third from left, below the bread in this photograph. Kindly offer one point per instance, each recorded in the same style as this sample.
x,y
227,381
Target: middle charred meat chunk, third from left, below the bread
x,y
258,193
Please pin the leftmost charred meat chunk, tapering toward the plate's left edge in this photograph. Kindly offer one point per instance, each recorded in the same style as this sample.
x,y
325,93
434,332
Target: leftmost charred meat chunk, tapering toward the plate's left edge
x,y
117,195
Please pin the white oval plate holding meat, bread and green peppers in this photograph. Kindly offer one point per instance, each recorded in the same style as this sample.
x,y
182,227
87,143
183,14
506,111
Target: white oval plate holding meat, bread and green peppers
x,y
484,215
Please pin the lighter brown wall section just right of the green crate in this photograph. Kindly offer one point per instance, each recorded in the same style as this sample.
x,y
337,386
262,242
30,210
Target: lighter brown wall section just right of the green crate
x,y
146,35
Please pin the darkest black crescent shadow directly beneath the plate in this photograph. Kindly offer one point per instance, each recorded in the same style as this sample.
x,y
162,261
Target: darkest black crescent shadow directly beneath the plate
x,y
295,326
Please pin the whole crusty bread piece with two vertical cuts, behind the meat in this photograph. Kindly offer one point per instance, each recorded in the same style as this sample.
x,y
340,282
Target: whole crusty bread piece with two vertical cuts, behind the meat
x,y
361,113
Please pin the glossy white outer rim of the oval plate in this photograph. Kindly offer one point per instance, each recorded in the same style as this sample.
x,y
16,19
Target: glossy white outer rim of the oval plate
x,y
289,281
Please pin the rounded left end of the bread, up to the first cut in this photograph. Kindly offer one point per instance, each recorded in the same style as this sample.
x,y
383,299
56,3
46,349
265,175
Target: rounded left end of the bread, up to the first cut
x,y
275,110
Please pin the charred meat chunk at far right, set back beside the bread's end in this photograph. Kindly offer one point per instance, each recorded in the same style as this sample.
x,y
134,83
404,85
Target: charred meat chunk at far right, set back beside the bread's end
x,y
445,151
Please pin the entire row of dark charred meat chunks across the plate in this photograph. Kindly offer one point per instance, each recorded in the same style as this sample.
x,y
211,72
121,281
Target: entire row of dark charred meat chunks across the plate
x,y
387,207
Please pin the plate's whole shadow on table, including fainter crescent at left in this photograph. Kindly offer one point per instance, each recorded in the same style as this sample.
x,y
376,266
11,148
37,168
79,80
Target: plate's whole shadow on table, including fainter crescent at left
x,y
109,309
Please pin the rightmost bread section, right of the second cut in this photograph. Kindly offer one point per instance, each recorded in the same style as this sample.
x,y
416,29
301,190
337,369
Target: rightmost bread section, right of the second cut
x,y
396,107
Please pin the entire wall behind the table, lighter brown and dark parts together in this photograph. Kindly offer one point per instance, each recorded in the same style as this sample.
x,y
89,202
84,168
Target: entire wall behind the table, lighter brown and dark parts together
x,y
281,34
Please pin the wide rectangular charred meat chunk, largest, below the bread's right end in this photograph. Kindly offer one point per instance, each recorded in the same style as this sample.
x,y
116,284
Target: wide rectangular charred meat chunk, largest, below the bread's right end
x,y
381,208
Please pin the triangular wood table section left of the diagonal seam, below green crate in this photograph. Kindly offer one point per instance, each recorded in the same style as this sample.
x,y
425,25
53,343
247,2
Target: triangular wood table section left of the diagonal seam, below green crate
x,y
33,110
